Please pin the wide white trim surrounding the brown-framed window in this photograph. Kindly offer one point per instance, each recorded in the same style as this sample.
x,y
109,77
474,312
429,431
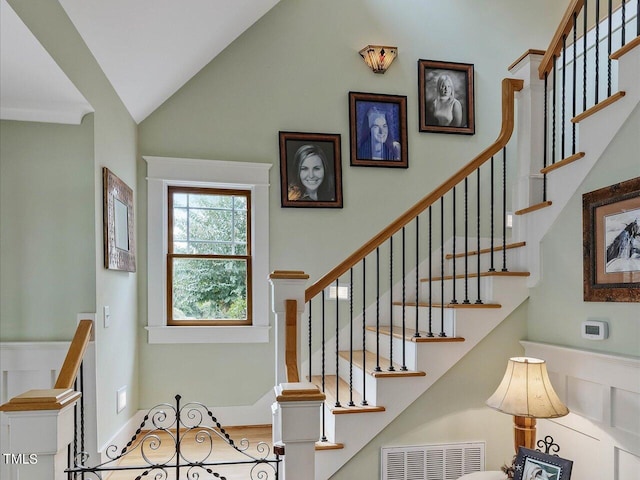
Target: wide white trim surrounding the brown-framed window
x,y
163,172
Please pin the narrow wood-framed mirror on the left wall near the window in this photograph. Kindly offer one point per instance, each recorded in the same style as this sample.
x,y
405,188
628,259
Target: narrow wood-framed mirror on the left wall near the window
x,y
118,224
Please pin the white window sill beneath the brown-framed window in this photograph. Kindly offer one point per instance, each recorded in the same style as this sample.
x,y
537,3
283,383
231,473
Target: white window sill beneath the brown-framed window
x,y
208,334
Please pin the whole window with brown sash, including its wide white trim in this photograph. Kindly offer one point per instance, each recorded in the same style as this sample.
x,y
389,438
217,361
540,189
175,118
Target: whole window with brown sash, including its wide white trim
x,y
183,197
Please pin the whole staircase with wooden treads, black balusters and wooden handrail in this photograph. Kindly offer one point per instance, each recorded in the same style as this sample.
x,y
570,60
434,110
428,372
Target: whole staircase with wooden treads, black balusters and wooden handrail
x,y
413,319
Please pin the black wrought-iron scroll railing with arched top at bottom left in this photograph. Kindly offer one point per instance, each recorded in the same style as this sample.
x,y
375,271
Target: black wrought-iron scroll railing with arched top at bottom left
x,y
181,441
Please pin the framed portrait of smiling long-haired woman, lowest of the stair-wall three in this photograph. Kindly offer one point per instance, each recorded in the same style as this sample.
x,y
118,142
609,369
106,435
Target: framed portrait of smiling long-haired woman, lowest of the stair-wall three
x,y
310,170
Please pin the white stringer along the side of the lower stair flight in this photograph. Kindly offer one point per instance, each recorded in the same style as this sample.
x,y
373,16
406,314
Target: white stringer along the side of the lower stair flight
x,y
354,431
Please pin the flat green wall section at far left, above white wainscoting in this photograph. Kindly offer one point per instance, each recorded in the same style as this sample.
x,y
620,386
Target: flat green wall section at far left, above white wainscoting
x,y
47,268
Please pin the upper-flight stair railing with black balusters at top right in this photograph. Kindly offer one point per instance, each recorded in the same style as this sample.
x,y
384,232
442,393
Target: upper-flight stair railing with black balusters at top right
x,y
578,71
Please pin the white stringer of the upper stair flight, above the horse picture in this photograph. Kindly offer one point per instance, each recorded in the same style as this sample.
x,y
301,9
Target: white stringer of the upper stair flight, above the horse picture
x,y
595,133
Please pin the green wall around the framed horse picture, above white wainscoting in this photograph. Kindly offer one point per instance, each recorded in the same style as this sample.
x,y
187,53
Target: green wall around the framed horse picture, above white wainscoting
x,y
556,306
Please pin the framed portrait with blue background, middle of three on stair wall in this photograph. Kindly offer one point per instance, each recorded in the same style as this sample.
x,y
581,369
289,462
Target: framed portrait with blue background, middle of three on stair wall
x,y
378,130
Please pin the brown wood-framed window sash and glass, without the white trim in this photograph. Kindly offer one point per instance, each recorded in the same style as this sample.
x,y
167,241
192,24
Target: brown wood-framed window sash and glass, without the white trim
x,y
209,258
